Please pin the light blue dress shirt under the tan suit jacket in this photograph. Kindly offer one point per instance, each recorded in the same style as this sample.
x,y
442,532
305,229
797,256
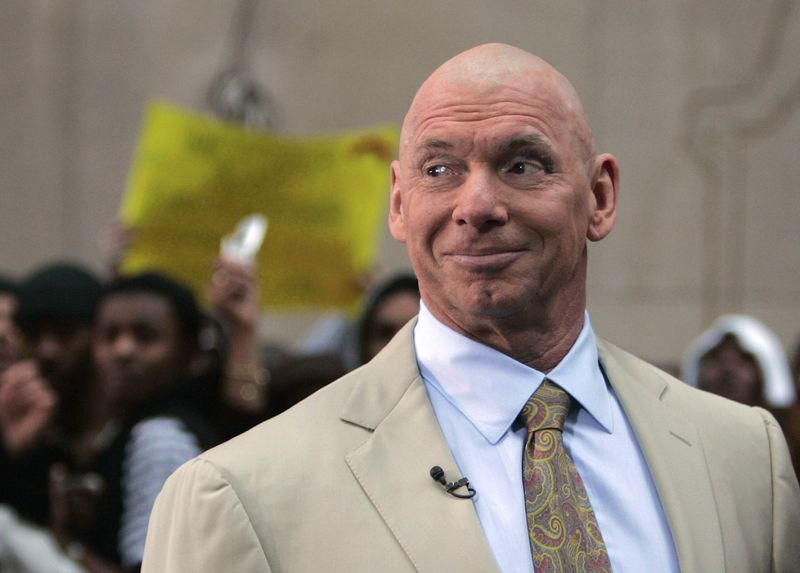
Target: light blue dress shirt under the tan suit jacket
x,y
477,392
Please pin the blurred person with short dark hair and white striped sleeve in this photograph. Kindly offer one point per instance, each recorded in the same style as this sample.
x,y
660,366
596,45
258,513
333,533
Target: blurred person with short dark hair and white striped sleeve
x,y
145,349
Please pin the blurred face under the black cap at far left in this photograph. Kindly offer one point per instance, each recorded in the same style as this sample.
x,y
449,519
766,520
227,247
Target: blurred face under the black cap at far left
x,y
62,350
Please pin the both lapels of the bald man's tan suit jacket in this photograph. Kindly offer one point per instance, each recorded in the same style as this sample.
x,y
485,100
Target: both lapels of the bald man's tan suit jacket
x,y
442,533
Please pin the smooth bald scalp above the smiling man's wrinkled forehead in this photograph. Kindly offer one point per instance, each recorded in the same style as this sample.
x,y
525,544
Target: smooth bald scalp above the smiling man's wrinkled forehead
x,y
480,73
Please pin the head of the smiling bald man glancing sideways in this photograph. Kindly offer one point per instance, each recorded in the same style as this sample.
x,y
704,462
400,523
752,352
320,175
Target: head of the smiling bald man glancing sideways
x,y
497,189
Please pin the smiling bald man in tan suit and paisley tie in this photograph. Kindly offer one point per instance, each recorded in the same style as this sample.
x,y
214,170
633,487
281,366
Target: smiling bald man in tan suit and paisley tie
x,y
496,192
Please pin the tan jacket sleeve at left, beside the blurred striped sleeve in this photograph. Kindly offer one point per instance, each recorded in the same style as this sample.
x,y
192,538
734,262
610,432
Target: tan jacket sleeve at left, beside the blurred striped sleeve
x,y
199,524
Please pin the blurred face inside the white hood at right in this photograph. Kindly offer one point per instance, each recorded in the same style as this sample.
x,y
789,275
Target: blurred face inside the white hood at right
x,y
731,372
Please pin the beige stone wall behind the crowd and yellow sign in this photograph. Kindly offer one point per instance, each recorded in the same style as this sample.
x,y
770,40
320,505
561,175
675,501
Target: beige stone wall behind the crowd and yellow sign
x,y
699,101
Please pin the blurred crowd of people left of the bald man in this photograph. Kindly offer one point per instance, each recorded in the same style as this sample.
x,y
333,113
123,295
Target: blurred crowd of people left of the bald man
x,y
107,386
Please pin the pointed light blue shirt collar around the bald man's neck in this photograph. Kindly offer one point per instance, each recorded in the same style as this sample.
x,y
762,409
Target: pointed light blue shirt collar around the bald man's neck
x,y
490,388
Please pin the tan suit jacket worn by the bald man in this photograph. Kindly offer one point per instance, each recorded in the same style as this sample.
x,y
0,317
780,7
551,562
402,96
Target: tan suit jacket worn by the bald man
x,y
341,482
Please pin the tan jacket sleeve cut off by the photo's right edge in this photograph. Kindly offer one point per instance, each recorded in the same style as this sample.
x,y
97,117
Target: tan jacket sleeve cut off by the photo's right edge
x,y
785,501
